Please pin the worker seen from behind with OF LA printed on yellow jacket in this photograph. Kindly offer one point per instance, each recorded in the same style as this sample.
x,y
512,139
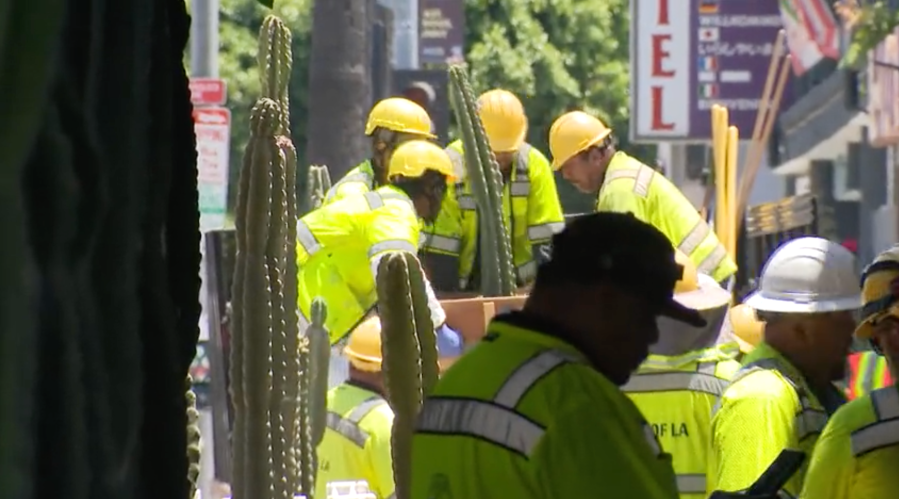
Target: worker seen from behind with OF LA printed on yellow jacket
x,y
687,370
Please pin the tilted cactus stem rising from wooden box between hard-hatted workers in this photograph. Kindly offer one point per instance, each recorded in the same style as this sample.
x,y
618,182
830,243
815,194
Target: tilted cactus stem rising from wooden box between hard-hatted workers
x,y
496,265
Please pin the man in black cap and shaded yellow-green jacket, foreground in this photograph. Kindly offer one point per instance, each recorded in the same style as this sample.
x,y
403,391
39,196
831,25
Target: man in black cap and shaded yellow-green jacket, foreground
x,y
534,410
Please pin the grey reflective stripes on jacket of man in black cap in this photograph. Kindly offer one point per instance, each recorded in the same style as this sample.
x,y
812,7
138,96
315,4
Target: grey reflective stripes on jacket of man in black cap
x,y
496,421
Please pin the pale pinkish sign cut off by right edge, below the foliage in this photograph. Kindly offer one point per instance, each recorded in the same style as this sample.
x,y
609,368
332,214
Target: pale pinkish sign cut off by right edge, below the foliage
x,y
883,92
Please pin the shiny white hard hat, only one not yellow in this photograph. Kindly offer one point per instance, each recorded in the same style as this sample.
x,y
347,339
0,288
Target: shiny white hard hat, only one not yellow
x,y
808,275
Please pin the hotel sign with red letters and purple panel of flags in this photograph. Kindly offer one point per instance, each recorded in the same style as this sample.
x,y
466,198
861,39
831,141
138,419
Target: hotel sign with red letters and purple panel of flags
x,y
685,60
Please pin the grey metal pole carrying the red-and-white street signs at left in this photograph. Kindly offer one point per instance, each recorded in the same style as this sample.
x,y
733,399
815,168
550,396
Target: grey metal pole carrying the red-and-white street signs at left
x,y
204,54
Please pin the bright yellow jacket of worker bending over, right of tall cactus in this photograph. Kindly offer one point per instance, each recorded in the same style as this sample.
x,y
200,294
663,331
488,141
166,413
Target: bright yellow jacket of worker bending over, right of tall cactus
x,y
337,245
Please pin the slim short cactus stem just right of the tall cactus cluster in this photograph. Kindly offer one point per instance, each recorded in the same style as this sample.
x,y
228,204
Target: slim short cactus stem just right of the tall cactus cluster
x,y
314,359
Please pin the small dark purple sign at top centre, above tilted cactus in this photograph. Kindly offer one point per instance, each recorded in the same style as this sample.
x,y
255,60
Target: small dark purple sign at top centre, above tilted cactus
x,y
441,31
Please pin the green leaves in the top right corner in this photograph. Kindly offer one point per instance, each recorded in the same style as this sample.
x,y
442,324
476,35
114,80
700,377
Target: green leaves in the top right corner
x,y
870,23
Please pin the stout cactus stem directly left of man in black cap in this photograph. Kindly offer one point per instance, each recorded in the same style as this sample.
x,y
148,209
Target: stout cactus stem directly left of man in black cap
x,y
409,350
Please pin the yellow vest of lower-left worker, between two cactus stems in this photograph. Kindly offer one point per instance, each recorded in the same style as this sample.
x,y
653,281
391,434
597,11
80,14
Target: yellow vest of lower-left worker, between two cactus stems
x,y
355,448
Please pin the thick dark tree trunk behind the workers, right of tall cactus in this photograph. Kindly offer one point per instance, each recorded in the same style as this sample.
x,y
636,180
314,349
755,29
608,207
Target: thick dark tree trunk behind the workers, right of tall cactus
x,y
339,82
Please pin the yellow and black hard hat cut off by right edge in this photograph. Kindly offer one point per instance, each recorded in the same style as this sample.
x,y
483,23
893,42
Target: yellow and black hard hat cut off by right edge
x,y
880,291
